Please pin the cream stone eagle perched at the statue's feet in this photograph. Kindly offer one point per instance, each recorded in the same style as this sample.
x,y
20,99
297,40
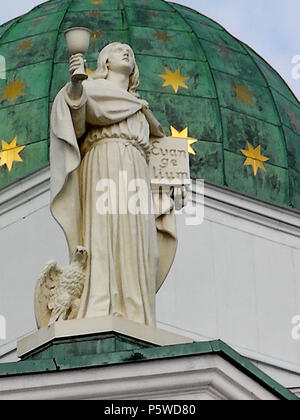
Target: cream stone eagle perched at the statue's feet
x,y
58,291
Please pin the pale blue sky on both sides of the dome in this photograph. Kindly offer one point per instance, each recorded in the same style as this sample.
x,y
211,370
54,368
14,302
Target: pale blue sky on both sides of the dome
x,y
270,27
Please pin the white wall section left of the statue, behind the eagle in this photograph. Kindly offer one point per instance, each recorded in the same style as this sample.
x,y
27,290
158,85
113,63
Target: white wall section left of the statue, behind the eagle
x,y
29,238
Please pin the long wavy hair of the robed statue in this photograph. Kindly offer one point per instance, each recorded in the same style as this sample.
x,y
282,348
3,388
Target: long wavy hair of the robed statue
x,y
102,68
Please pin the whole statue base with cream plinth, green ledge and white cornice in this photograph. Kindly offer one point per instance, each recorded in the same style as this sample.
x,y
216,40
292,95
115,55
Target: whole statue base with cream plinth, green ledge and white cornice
x,y
112,358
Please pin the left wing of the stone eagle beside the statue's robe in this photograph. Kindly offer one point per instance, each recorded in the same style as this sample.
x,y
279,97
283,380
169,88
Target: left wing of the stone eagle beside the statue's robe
x,y
45,291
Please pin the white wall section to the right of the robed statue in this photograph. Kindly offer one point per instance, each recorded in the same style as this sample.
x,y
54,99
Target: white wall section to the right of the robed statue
x,y
237,277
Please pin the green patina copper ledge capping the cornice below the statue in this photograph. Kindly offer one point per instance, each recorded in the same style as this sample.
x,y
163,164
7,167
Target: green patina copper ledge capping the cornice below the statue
x,y
113,348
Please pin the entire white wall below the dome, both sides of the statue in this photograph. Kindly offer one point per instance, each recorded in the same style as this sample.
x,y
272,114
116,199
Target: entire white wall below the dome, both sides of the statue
x,y
236,276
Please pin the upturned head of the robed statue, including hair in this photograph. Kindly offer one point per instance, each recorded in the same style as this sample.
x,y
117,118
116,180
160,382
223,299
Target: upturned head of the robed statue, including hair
x,y
120,58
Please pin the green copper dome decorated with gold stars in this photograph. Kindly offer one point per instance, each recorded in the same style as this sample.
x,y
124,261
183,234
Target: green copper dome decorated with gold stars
x,y
193,73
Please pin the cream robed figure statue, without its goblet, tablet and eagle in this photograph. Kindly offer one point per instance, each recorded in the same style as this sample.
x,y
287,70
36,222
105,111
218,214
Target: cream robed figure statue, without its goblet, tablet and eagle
x,y
100,128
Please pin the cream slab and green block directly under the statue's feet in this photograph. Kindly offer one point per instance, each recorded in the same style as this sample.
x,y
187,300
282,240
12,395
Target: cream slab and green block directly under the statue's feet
x,y
93,336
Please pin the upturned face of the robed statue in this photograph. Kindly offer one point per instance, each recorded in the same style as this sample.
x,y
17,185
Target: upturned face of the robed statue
x,y
121,59
